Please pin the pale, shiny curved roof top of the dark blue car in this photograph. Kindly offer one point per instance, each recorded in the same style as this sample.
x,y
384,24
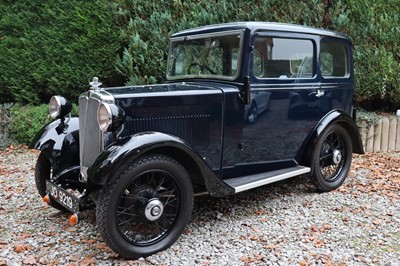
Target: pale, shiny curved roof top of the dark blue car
x,y
260,26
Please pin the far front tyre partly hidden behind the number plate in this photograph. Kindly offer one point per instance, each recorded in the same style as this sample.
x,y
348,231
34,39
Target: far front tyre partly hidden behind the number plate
x,y
44,172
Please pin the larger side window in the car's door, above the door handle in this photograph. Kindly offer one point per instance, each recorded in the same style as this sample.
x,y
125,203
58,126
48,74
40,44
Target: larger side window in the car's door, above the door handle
x,y
283,58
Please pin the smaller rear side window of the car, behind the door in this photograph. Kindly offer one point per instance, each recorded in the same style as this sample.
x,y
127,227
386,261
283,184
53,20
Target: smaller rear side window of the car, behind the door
x,y
333,60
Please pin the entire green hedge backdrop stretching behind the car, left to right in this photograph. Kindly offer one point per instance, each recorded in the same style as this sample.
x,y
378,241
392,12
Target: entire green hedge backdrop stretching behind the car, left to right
x,y
56,47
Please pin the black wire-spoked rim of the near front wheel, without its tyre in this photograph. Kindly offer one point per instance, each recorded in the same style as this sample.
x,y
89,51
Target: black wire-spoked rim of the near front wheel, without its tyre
x,y
148,207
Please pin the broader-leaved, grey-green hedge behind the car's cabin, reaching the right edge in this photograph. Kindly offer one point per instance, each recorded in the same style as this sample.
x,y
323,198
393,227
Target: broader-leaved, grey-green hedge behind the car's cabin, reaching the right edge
x,y
373,25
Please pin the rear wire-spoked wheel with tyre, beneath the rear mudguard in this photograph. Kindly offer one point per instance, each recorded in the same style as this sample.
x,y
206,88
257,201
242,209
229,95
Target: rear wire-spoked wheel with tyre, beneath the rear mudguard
x,y
331,158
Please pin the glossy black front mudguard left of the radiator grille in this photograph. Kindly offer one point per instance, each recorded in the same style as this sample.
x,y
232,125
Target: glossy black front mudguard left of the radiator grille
x,y
59,143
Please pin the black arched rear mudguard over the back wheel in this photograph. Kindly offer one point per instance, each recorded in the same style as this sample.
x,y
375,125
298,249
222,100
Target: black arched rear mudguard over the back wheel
x,y
333,117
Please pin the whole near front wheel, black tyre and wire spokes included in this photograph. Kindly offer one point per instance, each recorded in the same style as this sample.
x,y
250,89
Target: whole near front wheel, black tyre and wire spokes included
x,y
146,207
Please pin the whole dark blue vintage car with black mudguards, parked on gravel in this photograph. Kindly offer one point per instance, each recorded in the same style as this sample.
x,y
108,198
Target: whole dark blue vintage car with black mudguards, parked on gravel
x,y
138,155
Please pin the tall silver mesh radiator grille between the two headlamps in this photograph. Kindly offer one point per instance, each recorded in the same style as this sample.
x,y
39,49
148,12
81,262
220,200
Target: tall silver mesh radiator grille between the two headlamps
x,y
90,135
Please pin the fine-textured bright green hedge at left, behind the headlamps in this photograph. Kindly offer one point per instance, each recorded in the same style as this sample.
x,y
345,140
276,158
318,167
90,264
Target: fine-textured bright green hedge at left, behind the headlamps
x,y
53,47
